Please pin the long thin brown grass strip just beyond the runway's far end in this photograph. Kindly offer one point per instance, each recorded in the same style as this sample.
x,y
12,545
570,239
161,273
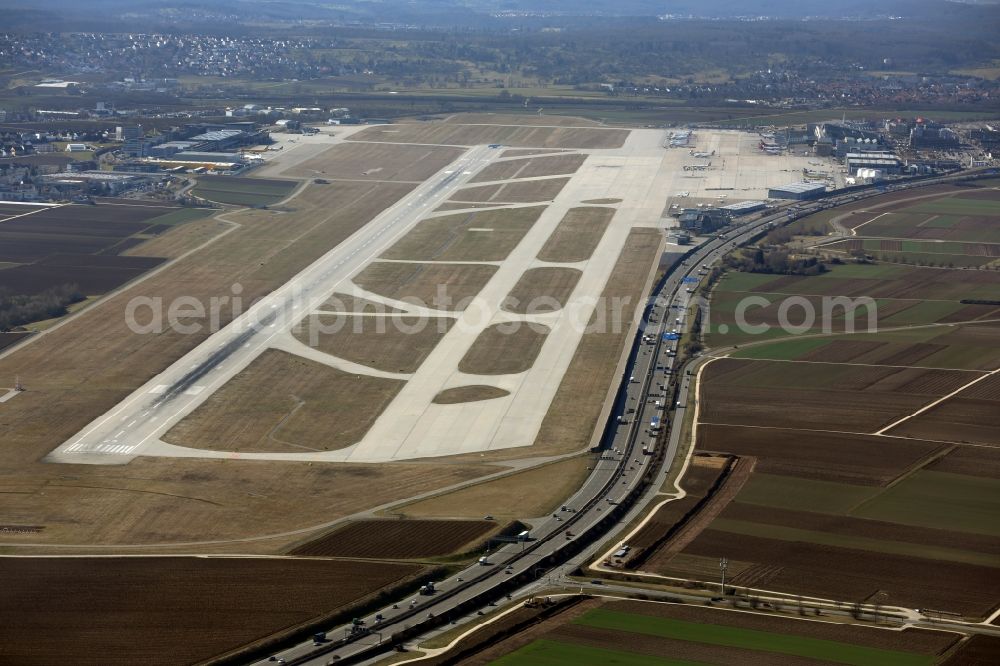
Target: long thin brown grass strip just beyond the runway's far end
x,y
518,136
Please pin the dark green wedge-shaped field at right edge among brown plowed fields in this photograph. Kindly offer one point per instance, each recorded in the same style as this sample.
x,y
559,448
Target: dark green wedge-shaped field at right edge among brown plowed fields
x,y
939,500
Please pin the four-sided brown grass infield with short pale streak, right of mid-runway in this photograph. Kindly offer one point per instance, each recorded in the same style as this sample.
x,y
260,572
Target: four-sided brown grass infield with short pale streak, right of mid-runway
x,y
488,235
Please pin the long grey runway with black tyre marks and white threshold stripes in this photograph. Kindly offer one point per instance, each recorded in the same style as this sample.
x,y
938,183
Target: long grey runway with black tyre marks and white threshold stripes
x,y
137,423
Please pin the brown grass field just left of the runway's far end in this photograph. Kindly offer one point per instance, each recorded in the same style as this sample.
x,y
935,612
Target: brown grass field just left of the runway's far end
x,y
376,161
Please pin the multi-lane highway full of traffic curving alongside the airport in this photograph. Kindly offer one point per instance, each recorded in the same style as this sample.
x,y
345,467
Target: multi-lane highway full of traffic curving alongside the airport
x,y
650,378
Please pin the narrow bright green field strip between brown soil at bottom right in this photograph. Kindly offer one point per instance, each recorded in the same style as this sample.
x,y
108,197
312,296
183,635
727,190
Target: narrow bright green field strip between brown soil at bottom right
x,y
750,639
